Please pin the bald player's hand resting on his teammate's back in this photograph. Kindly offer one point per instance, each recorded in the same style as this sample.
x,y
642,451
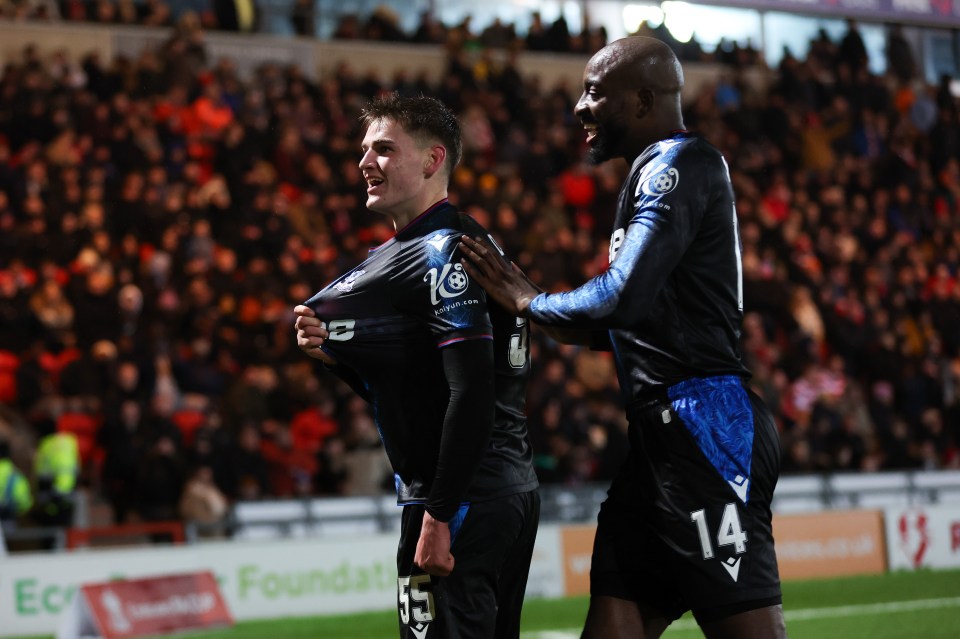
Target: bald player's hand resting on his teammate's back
x,y
503,280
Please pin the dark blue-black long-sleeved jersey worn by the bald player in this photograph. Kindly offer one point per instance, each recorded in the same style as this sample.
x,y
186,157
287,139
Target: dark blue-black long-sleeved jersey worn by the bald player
x,y
672,295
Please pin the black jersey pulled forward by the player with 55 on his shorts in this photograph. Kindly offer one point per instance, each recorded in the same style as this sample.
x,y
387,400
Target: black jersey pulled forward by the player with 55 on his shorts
x,y
389,320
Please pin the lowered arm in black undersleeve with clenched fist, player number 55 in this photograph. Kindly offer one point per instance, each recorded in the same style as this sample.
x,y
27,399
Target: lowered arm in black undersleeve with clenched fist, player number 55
x,y
468,366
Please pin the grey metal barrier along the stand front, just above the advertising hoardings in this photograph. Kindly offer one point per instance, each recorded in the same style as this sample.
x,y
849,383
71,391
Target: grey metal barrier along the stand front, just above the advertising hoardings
x,y
353,516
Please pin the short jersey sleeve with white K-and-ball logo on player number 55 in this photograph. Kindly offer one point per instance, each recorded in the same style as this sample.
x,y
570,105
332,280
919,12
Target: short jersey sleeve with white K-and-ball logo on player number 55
x,y
453,306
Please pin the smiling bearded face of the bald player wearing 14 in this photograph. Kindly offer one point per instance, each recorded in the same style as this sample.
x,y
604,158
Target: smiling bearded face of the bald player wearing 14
x,y
603,110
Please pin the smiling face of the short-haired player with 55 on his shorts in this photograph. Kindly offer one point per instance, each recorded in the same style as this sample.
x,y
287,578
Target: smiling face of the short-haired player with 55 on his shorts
x,y
393,168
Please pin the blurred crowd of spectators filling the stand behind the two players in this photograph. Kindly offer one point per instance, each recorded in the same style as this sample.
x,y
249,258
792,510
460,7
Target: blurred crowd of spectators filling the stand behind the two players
x,y
161,216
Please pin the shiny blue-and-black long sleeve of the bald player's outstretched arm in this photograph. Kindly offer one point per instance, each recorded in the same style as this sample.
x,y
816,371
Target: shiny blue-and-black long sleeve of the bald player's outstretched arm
x,y
669,197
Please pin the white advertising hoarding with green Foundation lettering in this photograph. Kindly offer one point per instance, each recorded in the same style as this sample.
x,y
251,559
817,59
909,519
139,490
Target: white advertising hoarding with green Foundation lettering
x,y
259,580
